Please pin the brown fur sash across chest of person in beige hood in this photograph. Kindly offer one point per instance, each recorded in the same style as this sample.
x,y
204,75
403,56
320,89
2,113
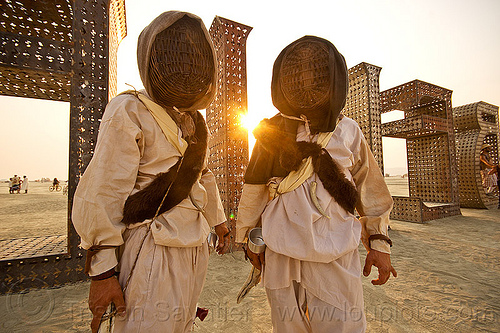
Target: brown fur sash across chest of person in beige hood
x,y
178,181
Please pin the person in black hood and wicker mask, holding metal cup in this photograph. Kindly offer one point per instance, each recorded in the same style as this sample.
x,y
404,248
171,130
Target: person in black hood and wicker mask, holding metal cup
x,y
310,169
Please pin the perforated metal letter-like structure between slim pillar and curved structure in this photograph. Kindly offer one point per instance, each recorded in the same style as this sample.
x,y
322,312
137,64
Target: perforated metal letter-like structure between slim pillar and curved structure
x,y
428,129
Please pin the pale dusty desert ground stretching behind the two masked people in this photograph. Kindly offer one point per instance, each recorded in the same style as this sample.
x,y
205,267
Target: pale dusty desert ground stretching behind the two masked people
x,y
447,275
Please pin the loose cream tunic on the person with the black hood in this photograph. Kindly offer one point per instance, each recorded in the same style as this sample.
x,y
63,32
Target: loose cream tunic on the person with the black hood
x,y
319,252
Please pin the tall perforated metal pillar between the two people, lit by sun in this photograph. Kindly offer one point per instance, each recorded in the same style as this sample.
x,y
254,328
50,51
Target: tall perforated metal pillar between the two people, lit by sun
x,y
229,140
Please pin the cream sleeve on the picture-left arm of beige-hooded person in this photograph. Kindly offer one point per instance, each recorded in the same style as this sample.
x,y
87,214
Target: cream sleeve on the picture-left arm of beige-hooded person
x,y
107,182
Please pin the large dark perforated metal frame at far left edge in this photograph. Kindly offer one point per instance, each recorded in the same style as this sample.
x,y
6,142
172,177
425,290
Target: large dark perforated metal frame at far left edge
x,y
63,50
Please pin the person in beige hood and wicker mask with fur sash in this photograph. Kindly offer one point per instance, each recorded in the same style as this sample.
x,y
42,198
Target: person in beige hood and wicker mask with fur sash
x,y
147,202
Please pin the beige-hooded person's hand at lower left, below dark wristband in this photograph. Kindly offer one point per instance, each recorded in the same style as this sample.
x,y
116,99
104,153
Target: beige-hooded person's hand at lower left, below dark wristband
x,y
101,294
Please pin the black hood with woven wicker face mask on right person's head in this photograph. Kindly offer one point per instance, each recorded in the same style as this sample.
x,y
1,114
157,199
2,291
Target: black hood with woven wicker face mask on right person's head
x,y
310,78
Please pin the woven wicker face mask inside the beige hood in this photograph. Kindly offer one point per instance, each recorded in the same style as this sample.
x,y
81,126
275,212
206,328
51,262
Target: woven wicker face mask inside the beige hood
x,y
181,66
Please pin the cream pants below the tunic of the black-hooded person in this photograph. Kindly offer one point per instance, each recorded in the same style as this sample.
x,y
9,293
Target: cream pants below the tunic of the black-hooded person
x,y
295,310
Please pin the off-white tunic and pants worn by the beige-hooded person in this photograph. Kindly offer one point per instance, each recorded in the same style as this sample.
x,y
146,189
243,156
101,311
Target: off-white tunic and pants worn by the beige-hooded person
x,y
167,280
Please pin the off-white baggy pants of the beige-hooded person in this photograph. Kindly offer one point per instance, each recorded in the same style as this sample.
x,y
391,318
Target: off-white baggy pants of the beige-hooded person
x,y
164,286
